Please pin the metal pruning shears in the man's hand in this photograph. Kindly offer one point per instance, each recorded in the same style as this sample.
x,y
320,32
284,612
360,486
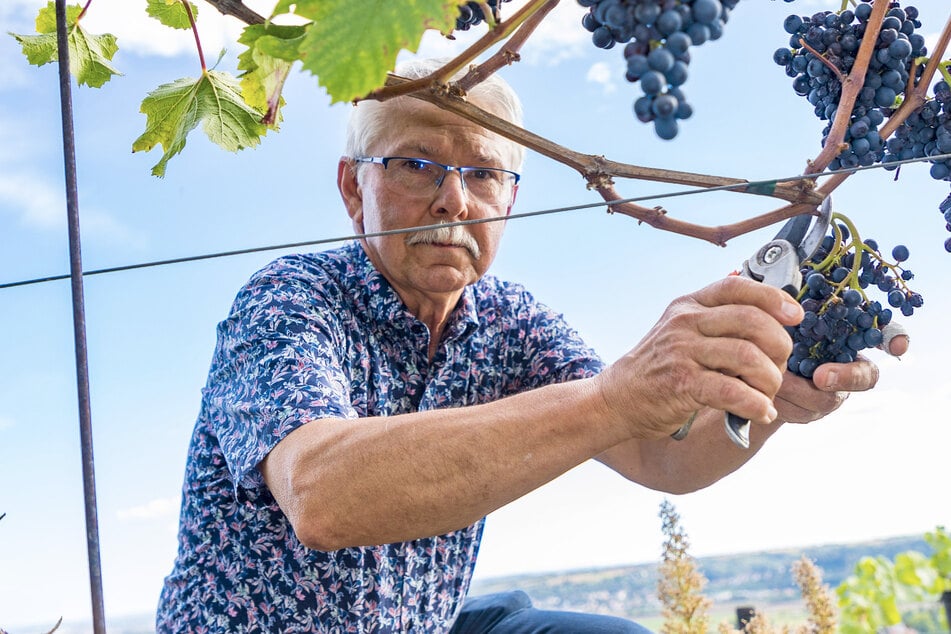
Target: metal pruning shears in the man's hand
x,y
778,264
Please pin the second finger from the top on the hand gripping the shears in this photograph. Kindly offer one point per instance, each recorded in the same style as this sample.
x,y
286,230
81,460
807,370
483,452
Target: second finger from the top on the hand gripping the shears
x,y
750,324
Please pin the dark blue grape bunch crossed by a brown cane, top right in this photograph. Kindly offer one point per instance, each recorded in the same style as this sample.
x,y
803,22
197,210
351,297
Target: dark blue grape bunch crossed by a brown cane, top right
x,y
822,50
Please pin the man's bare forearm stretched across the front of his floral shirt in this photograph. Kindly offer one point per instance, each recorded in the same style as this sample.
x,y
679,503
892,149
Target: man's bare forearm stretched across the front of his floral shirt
x,y
379,480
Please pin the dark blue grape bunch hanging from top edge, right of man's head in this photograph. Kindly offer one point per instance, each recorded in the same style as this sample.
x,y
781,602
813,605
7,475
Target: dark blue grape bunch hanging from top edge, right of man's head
x,y
658,35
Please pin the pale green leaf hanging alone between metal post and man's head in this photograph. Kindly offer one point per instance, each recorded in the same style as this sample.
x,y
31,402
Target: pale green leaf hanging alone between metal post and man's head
x,y
214,99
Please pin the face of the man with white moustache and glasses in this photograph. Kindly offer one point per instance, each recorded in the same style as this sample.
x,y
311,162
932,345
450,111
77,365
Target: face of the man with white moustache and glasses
x,y
425,267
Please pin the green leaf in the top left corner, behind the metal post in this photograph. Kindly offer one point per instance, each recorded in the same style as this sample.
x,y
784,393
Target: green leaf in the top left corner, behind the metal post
x,y
89,55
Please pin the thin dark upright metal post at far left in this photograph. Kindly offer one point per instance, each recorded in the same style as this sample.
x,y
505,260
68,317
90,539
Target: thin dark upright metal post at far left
x,y
79,323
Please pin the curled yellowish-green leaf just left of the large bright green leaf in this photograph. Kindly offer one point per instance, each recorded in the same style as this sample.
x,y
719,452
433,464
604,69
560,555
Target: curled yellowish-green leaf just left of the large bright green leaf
x,y
272,50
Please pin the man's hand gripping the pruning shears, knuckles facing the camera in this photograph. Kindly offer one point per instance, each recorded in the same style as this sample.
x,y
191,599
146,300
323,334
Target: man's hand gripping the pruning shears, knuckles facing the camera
x,y
723,346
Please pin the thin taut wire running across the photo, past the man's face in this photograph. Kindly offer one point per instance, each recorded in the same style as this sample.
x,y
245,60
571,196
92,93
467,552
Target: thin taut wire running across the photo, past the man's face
x,y
516,216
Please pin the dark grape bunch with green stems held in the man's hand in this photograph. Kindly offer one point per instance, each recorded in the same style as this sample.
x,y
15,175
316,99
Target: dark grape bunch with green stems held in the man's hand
x,y
840,320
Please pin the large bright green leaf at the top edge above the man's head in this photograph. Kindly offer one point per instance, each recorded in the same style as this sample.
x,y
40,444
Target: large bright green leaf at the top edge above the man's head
x,y
352,45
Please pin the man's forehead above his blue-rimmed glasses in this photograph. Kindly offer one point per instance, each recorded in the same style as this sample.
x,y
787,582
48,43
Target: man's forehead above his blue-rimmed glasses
x,y
417,128
